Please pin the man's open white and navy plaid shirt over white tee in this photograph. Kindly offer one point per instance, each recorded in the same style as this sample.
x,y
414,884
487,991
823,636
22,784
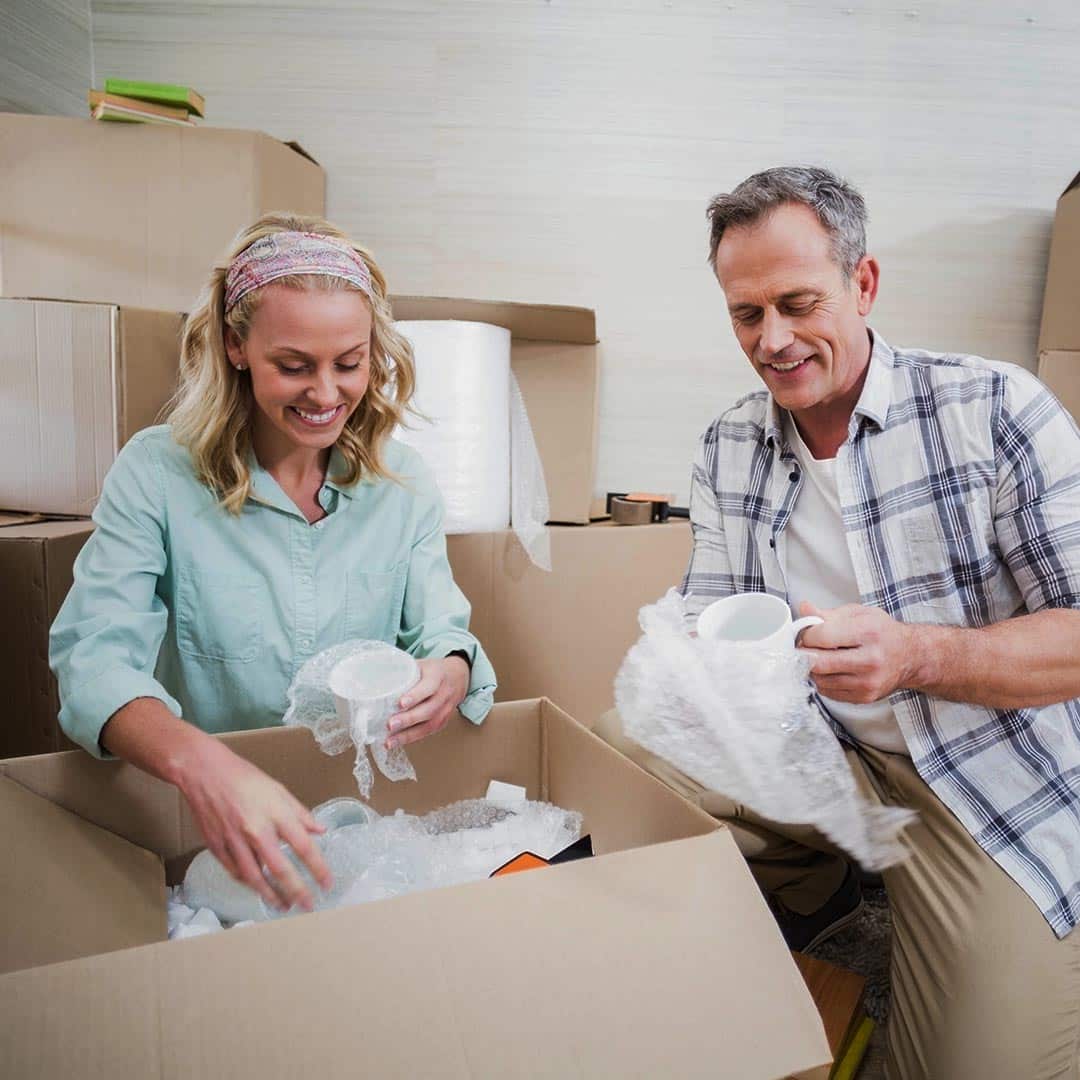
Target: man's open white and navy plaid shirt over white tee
x,y
960,487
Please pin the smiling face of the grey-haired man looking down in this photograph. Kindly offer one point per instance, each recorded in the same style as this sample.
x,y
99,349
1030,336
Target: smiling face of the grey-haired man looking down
x,y
801,322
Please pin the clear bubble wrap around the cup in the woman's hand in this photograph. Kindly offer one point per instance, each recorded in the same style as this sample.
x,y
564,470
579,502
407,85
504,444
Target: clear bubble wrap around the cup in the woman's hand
x,y
312,706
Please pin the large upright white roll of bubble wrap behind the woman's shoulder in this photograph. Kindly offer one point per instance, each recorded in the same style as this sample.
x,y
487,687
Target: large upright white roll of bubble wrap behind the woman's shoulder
x,y
475,434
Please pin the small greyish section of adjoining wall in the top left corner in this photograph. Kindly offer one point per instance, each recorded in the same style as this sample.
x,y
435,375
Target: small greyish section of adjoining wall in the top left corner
x,y
45,57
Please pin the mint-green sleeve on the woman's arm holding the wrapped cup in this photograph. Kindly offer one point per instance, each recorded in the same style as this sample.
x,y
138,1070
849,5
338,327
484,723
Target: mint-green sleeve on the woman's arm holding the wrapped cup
x,y
436,613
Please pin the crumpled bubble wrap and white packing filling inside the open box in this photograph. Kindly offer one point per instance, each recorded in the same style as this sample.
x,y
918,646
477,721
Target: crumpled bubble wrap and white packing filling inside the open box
x,y
373,858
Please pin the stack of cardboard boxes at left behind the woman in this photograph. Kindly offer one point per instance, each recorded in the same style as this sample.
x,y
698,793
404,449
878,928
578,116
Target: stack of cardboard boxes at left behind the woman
x,y
100,225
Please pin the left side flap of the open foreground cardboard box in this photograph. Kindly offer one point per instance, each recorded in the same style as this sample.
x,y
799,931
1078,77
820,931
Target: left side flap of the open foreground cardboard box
x,y
71,889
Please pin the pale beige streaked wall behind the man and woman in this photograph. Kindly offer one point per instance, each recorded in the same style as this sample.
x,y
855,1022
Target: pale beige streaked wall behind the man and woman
x,y
564,152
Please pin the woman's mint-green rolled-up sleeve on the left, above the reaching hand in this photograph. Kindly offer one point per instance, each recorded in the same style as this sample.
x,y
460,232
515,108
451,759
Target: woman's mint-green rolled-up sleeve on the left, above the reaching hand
x,y
104,644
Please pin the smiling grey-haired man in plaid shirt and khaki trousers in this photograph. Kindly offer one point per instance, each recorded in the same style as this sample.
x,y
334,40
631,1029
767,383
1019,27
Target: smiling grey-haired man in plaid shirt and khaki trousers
x,y
928,508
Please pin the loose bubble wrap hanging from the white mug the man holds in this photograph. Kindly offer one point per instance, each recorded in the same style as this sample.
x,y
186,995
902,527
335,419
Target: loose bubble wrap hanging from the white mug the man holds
x,y
739,721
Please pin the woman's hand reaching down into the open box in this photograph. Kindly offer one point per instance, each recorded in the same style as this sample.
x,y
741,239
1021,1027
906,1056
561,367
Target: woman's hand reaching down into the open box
x,y
245,816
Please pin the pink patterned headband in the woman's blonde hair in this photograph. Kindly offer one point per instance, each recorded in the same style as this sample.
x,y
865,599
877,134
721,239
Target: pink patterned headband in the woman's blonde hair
x,y
285,254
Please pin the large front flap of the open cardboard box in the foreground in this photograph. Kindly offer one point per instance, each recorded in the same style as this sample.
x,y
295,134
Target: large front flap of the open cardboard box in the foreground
x,y
589,989
